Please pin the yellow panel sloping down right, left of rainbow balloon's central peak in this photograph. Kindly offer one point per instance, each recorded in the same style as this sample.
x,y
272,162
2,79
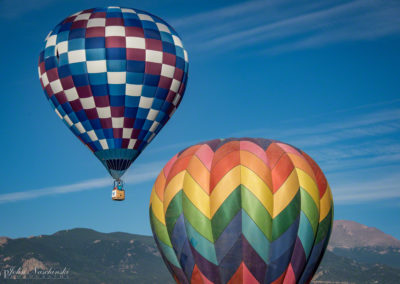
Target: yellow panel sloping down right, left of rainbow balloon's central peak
x,y
197,195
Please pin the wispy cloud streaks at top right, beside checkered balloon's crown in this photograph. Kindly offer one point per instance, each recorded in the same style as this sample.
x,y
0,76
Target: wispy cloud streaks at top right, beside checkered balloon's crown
x,y
280,26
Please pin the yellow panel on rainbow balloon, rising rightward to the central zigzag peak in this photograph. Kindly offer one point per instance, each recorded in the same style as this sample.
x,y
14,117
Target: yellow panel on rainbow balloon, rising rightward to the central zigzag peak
x,y
224,188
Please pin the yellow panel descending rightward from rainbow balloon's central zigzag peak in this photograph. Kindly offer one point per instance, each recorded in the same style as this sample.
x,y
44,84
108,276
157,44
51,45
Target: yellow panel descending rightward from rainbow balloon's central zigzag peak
x,y
258,187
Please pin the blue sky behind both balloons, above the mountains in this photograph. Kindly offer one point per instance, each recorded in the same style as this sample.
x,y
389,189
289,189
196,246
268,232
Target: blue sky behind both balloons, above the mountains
x,y
322,76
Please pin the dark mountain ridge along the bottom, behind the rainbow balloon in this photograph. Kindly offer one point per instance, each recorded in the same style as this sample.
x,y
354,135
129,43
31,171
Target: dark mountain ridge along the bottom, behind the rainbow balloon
x,y
118,257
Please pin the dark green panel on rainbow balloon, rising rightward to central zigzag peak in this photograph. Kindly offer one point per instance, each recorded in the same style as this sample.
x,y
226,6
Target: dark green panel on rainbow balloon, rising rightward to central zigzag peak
x,y
225,213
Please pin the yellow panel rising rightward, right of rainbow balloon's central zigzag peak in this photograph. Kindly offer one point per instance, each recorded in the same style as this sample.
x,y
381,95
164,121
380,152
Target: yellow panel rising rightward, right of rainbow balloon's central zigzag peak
x,y
285,194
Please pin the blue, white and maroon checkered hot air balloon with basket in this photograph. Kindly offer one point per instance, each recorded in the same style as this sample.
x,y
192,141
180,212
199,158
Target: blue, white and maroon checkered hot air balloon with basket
x,y
114,76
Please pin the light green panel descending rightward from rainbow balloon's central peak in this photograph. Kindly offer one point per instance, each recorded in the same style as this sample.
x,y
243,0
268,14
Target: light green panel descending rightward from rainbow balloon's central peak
x,y
256,211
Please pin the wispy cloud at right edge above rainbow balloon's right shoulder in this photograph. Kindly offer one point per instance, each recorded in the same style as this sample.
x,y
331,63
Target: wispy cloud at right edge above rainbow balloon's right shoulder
x,y
362,141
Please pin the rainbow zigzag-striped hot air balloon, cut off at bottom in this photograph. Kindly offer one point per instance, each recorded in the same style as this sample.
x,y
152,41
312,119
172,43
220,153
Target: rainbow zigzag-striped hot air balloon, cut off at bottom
x,y
241,211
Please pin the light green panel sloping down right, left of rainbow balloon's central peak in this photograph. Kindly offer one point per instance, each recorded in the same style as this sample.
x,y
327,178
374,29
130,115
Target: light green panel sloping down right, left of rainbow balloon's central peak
x,y
200,222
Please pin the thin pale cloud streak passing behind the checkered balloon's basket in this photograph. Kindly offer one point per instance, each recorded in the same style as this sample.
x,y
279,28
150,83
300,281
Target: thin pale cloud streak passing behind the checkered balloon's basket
x,y
143,173
